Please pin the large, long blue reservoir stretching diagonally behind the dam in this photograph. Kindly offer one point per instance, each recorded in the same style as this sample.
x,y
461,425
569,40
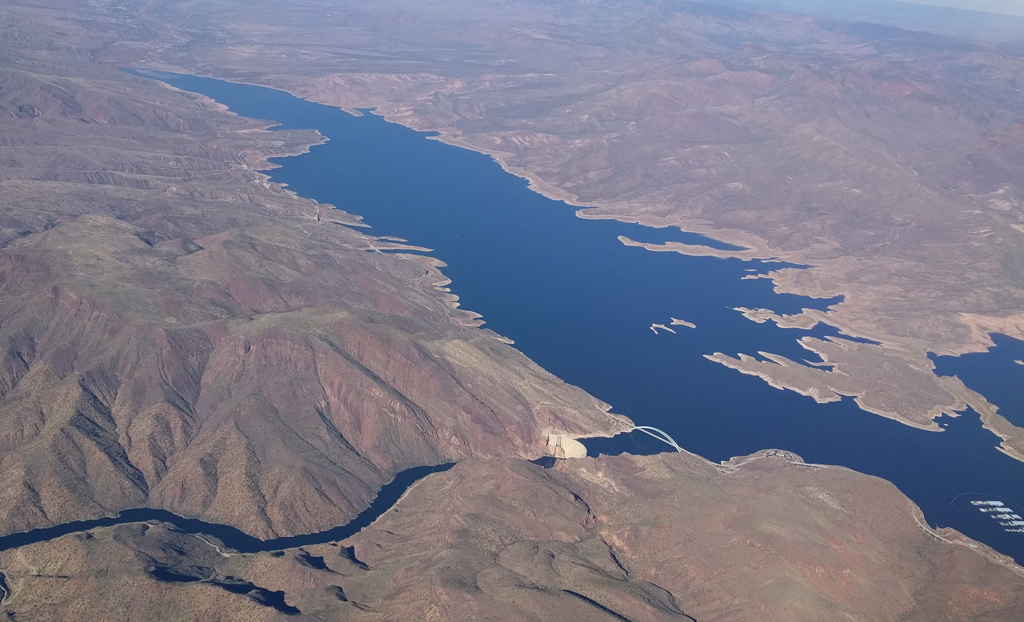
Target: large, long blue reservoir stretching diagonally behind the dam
x,y
581,304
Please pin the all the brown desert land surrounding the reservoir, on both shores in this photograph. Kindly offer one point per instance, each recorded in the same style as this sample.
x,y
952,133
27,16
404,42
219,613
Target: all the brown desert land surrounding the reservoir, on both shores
x,y
181,334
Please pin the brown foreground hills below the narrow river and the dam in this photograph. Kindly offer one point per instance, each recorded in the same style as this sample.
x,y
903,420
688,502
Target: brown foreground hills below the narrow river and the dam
x,y
667,537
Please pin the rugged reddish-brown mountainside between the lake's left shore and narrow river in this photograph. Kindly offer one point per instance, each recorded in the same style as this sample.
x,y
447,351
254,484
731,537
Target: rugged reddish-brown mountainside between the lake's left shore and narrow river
x,y
180,334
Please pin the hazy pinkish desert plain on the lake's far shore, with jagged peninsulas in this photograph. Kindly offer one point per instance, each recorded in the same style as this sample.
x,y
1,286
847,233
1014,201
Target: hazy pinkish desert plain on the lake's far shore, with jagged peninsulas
x,y
886,160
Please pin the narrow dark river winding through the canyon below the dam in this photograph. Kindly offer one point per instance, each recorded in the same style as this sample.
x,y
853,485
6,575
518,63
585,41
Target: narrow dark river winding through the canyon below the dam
x,y
237,540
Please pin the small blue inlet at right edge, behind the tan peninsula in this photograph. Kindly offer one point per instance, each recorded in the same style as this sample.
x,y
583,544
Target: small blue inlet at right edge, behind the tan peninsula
x,y
996,375
